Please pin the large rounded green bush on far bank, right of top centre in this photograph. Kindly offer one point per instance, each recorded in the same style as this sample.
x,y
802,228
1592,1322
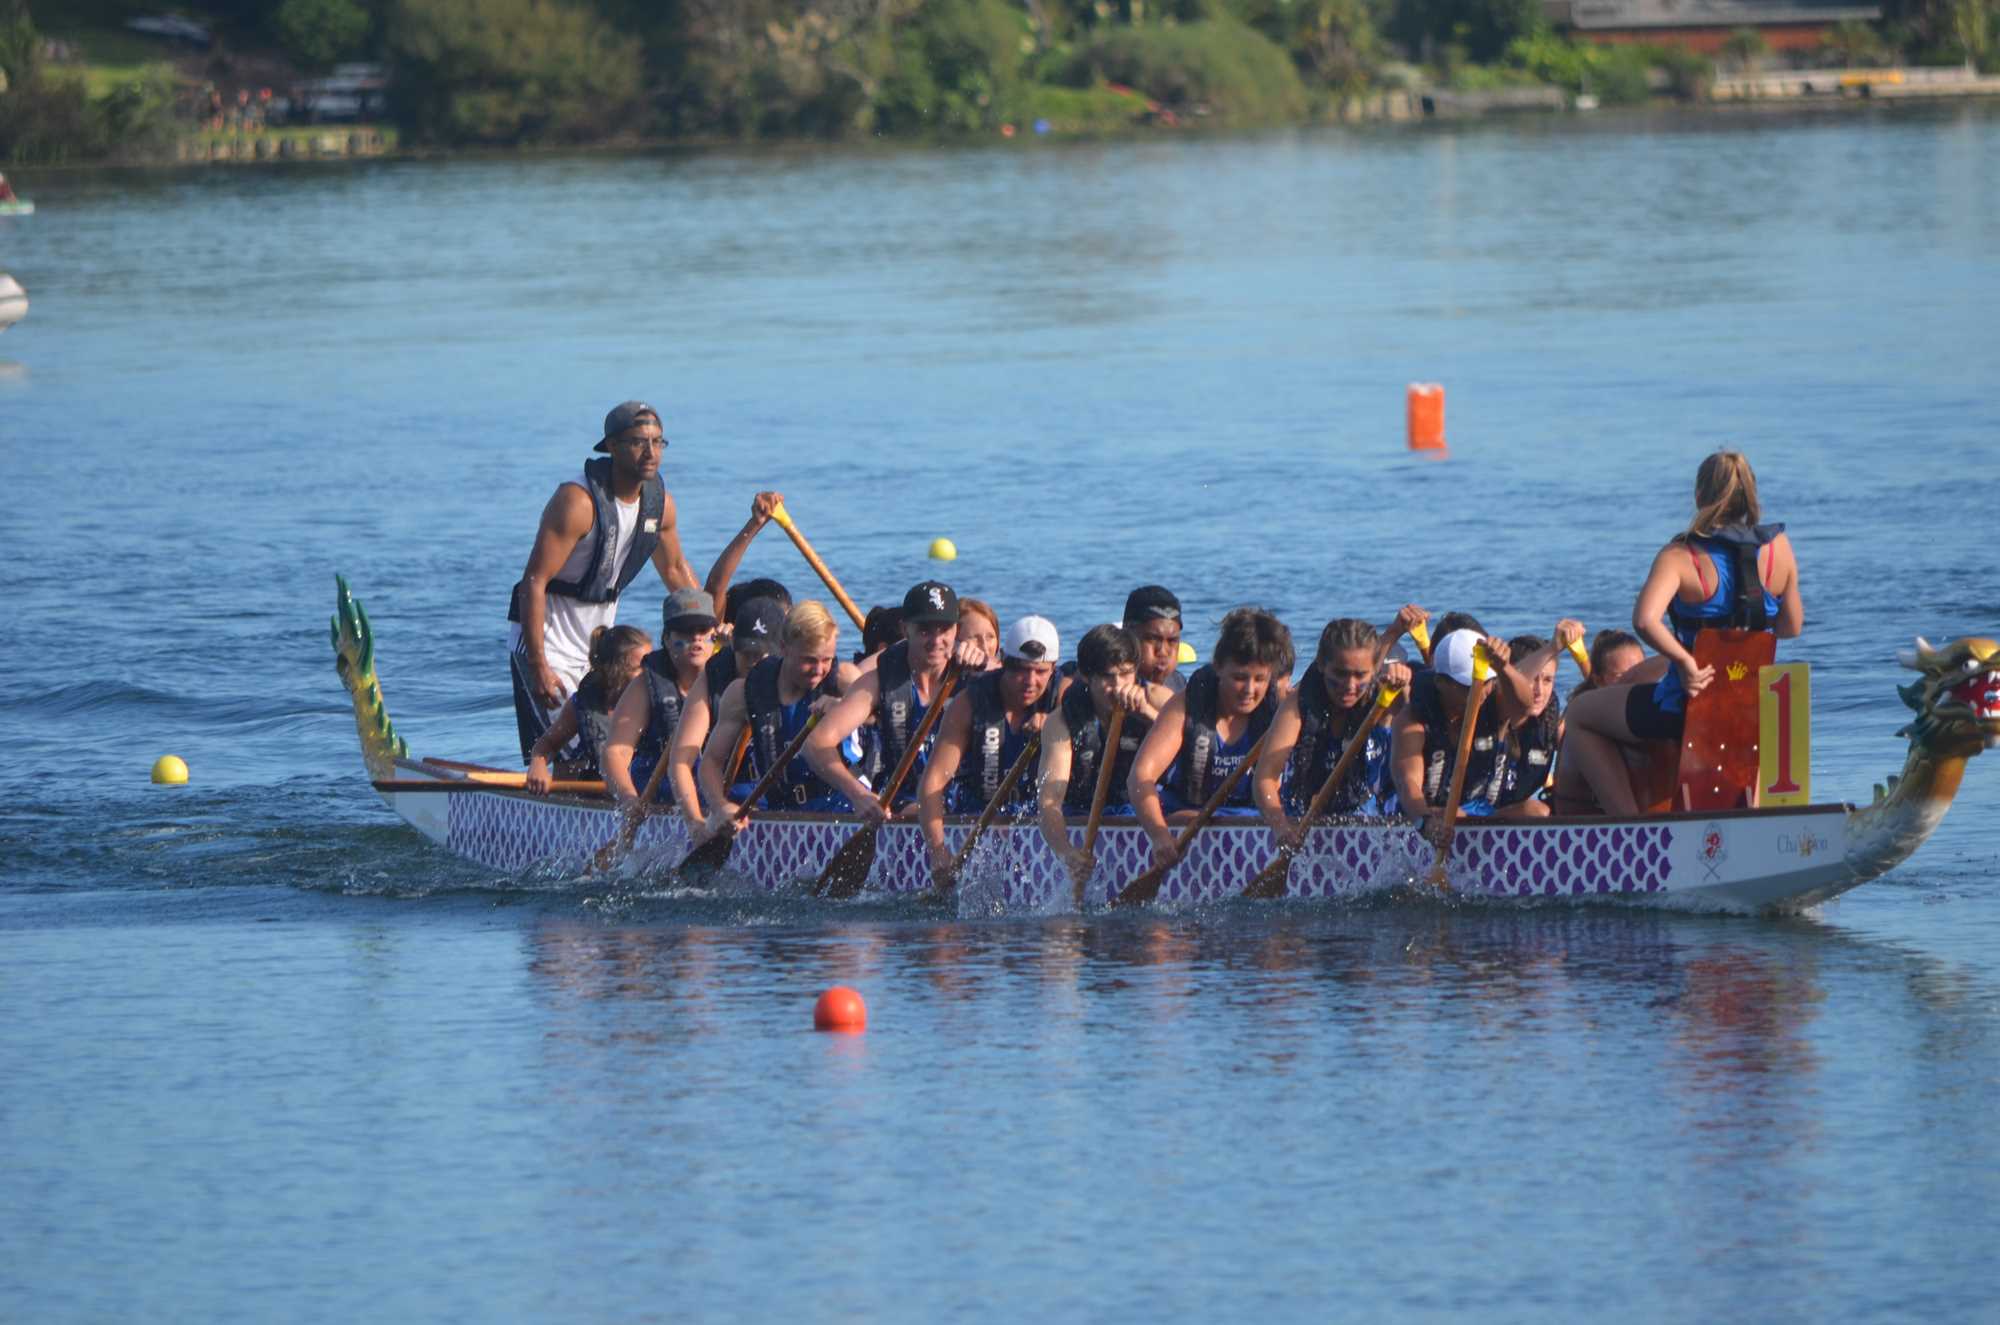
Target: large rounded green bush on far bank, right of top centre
x,y
1213,67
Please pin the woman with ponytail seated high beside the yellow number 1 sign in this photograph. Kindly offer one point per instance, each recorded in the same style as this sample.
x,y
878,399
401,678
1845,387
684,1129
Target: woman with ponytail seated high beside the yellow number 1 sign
x,y
1727,571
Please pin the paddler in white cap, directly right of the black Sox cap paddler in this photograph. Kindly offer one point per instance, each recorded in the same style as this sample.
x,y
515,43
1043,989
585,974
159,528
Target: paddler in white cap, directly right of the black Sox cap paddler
x,y
985,732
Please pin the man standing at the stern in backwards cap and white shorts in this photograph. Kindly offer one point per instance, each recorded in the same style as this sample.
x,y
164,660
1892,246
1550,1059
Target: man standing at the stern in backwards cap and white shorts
x,y
597,533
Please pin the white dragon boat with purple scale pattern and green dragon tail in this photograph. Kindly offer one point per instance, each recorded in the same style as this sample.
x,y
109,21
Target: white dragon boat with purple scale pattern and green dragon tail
x,y
1745,860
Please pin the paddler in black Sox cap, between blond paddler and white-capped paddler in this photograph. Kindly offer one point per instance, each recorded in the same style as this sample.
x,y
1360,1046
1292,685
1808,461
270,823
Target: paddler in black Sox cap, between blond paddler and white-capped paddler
x,y
895,688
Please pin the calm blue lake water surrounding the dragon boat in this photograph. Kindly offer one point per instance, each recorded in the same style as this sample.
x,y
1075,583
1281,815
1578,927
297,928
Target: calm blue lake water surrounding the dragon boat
x,y
271,1058
